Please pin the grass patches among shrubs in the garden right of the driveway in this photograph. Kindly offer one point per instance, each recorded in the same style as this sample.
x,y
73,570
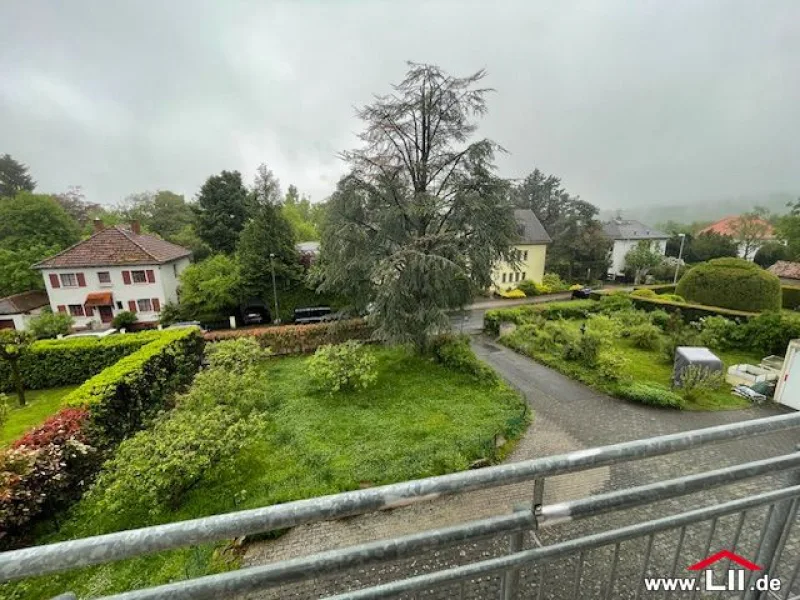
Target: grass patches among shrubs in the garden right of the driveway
x,y
643,366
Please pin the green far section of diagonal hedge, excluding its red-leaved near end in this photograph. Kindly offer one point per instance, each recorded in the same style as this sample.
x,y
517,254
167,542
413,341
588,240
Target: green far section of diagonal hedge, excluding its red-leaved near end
x,y
121,398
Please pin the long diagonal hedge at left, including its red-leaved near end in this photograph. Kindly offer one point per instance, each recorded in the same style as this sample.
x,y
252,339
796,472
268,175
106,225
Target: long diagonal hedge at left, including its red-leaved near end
x,y
50,466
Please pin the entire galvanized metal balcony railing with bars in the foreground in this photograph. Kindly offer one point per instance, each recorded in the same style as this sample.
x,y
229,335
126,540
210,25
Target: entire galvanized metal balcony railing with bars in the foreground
x,y
782,509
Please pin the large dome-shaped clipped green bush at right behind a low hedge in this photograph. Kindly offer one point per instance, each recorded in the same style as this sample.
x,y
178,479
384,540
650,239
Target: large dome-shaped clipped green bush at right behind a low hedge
x,y
732,283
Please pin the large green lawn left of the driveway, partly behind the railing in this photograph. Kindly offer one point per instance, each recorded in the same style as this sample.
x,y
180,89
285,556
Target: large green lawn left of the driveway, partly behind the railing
x,y
419,419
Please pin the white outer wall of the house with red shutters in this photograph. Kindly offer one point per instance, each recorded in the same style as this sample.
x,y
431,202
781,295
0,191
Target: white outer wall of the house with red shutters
x,y
73,297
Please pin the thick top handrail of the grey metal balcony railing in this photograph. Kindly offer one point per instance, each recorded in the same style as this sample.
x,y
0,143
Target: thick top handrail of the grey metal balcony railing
x,y
62,556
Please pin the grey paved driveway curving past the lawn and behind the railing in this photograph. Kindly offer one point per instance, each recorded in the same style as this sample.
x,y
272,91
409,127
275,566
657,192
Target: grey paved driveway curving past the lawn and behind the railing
x,y
568,416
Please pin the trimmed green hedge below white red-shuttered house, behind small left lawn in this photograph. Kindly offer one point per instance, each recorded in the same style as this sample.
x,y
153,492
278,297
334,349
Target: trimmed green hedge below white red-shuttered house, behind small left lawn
x,y
54,363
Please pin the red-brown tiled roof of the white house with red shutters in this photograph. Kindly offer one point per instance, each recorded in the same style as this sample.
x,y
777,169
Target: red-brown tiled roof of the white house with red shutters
x,y
115,246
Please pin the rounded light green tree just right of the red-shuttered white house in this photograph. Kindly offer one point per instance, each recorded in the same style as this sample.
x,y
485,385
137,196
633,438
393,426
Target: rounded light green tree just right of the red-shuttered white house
x,y
211,289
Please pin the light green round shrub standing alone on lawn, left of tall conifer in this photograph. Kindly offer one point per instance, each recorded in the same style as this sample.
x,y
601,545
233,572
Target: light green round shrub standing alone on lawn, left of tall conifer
x,y
340,367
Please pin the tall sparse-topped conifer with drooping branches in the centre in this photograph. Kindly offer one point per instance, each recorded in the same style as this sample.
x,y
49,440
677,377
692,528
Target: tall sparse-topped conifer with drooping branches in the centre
x,y
421,219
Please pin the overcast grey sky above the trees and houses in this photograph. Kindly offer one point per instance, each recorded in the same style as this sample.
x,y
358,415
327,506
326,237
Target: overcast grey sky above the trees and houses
x,y
629,102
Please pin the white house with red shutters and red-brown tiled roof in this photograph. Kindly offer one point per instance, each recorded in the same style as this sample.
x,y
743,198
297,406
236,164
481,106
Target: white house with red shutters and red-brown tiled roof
x,y
116,269
